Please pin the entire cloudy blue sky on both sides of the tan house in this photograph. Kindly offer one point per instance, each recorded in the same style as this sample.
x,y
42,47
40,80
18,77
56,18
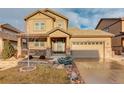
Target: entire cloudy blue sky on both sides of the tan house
x,y
83,18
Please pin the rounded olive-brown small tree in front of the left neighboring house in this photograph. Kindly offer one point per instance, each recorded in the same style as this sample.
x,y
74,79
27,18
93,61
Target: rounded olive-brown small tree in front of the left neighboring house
x,y
8,50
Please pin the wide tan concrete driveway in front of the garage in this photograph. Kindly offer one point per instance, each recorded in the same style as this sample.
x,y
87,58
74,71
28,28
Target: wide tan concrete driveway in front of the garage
x,y
94,71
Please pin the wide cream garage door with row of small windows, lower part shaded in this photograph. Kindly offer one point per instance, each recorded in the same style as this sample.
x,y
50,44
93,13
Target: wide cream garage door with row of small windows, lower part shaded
x,y
88,49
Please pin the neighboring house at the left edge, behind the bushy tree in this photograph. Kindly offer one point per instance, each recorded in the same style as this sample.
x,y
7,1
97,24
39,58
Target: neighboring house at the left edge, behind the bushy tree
x,y
8,32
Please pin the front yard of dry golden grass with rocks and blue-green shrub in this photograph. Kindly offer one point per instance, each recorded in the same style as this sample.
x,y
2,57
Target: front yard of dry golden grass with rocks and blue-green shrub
x,y
43,71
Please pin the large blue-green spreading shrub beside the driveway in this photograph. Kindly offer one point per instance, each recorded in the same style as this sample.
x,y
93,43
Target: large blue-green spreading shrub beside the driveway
x,y
65,60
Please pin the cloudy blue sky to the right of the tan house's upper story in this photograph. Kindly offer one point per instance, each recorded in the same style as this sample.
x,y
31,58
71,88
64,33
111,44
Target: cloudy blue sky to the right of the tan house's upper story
x,y
89,17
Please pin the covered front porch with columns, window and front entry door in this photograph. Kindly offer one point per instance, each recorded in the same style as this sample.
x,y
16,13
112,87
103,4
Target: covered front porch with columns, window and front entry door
x,y
38,45
